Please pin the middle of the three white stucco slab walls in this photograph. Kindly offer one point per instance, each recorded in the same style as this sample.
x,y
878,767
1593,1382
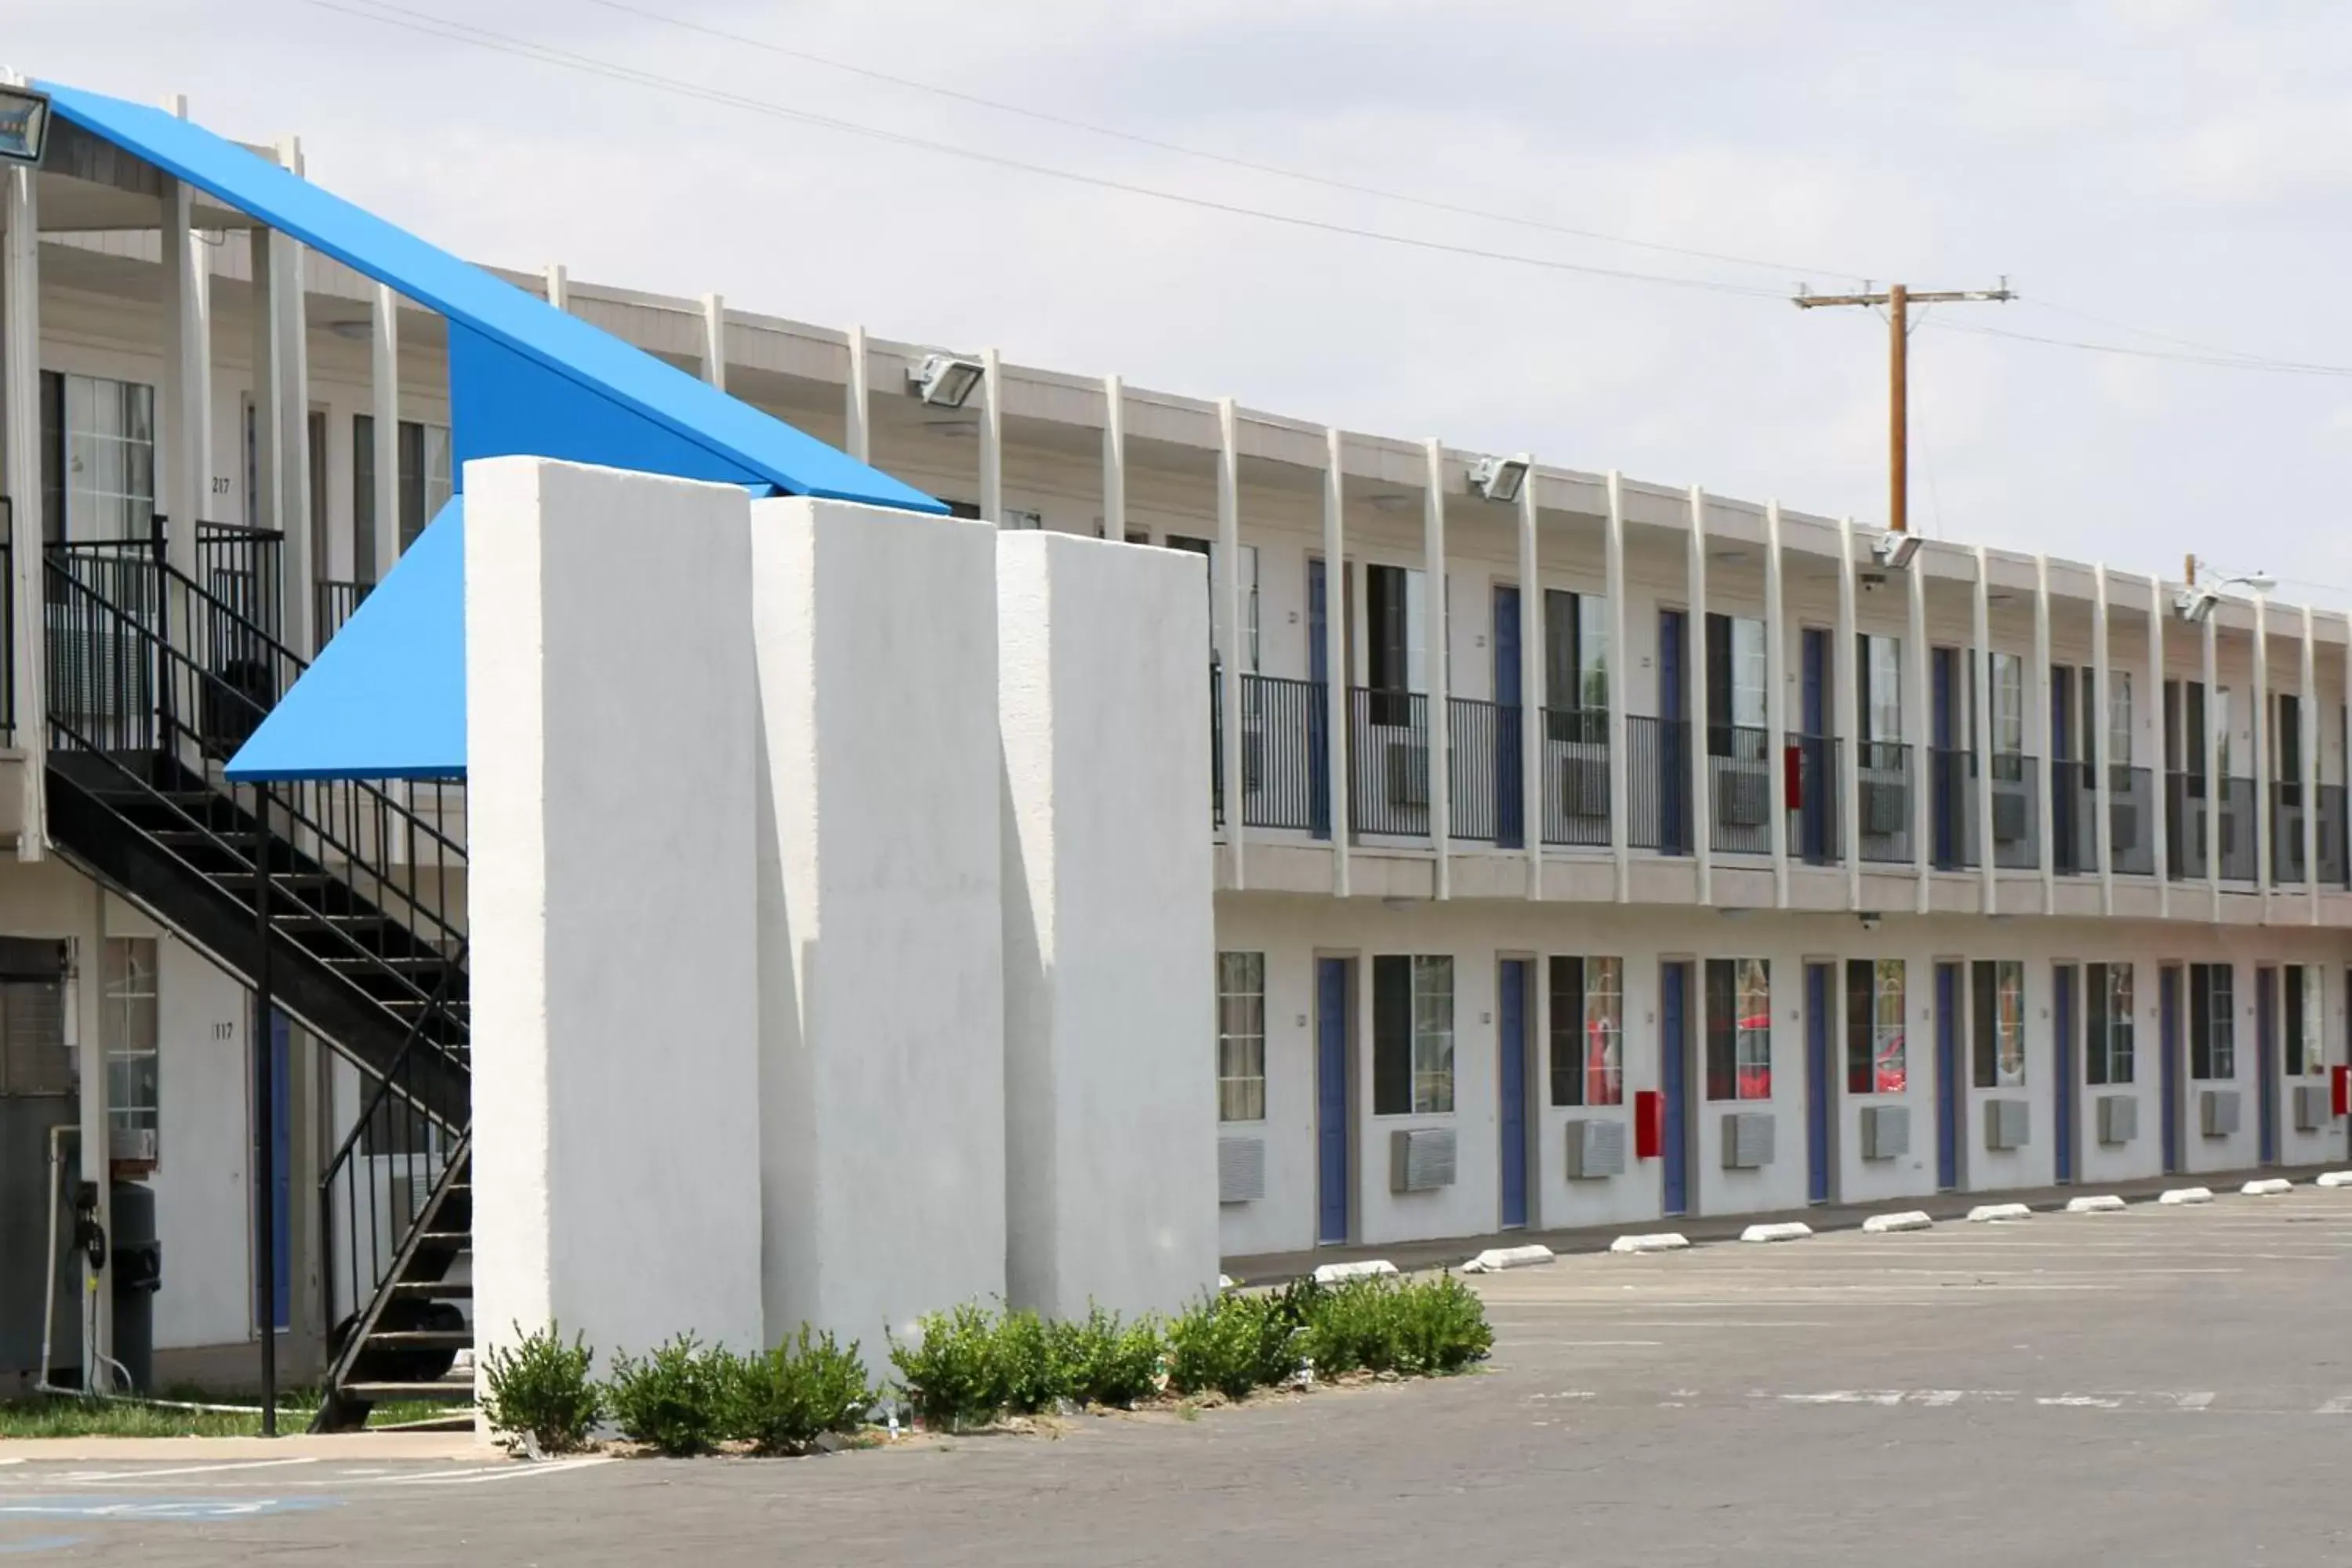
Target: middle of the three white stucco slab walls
x,y
881,979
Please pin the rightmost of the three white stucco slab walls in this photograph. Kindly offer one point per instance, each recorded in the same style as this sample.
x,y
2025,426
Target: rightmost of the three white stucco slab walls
x,y
1111,1130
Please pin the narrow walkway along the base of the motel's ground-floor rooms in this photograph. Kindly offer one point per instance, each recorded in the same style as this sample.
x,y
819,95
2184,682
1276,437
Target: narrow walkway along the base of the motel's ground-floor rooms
x,y
1278,1268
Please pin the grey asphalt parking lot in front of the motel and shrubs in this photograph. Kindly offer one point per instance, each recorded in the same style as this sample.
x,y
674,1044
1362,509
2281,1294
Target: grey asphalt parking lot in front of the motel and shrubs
x,y
2158,1386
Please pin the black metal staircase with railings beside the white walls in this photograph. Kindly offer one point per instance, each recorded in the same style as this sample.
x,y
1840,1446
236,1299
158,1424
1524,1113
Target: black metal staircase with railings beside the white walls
x,y
354,897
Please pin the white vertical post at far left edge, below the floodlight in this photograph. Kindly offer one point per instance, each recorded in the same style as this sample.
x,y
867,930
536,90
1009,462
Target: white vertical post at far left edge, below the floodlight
x,y
20,471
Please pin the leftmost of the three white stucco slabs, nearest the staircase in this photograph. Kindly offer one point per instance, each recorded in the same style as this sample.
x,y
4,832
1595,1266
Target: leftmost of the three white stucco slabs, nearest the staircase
x,y
615,965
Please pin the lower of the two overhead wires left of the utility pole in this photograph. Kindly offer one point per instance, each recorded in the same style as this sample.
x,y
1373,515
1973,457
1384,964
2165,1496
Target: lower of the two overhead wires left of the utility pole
x,y
523,48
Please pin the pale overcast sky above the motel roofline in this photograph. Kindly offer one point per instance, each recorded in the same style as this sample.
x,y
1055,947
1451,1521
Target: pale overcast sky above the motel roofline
x,y
2165,166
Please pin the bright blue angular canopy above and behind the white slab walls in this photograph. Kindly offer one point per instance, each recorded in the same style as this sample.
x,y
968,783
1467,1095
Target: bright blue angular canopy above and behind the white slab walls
x,y
387,699
